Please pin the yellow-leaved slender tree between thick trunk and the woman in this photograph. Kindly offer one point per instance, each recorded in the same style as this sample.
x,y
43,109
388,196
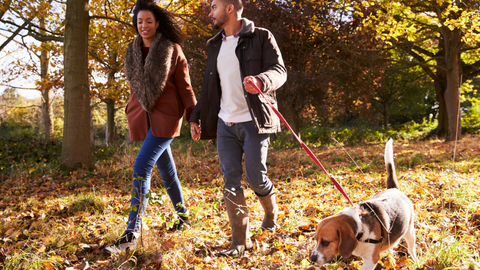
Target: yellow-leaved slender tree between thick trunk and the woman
x,y
110,32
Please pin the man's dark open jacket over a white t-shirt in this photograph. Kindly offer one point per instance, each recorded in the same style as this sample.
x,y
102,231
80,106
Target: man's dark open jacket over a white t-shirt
x,y
259,56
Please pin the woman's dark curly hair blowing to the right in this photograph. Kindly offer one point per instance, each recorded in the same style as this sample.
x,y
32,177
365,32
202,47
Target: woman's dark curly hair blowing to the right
x,y
168,27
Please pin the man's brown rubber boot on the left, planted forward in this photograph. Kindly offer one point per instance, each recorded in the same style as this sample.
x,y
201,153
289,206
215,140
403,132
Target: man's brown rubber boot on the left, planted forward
x,y
238,216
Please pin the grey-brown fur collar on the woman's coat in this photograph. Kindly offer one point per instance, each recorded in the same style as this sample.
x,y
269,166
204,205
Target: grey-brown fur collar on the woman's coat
x,y
147,79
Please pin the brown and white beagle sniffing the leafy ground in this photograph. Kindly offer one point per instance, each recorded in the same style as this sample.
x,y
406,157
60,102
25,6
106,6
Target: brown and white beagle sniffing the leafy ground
x,y
371,227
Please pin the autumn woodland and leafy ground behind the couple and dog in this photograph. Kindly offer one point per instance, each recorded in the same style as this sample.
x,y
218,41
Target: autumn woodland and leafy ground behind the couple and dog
x,y
359,72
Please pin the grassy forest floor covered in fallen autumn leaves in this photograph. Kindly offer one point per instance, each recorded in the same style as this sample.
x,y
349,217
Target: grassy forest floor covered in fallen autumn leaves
x,y
55,220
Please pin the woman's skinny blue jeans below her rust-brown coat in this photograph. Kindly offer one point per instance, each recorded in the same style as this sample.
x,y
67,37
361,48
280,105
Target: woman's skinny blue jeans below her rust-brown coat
x,y
153,151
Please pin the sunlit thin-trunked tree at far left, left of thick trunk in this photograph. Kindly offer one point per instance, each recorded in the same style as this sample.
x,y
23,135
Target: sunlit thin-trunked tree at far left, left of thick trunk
x,y
41,21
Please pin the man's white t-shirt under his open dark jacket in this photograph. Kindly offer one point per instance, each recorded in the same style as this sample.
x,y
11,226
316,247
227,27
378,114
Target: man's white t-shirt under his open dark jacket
x,y
233,104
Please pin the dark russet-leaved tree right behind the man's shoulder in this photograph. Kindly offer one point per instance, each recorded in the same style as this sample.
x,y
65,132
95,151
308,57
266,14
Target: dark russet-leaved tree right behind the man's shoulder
x,y
330,64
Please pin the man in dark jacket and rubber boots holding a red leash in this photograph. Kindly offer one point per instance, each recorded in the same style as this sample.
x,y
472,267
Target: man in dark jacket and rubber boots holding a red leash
x,y
232,111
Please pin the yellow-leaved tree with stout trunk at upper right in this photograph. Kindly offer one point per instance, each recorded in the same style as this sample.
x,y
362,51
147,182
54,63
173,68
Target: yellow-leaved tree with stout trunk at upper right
x,y
440,37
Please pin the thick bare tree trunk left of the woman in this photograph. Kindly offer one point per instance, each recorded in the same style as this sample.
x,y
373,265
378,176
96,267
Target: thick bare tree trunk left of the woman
x,y
76,146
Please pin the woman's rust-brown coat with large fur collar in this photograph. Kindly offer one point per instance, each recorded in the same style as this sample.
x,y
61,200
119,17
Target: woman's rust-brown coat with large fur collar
x,y
160,88
